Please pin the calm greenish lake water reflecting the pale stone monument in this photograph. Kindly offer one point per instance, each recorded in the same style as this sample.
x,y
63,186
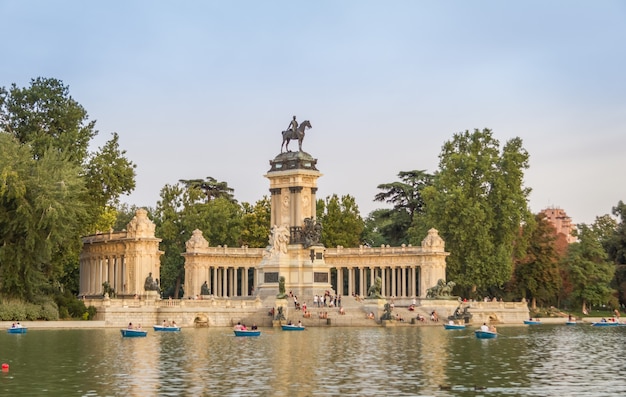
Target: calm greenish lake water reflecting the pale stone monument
x,y
543,360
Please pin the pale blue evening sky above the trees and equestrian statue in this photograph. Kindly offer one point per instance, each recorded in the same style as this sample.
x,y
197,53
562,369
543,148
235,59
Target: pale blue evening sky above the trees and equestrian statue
x,y
204,88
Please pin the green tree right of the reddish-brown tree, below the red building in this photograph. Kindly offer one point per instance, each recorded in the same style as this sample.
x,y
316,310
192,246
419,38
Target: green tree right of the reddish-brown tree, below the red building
x,y
589,269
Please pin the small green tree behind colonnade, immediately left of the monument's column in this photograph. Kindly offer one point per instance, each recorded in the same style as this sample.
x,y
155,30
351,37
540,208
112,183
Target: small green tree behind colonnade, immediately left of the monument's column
x,y
256,223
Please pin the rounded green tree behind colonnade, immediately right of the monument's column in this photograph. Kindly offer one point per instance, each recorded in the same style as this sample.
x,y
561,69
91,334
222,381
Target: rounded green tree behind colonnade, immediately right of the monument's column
x,y
341,222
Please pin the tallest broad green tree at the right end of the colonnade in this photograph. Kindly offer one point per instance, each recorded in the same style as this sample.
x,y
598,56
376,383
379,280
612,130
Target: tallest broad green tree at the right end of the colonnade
x,y
478,203
